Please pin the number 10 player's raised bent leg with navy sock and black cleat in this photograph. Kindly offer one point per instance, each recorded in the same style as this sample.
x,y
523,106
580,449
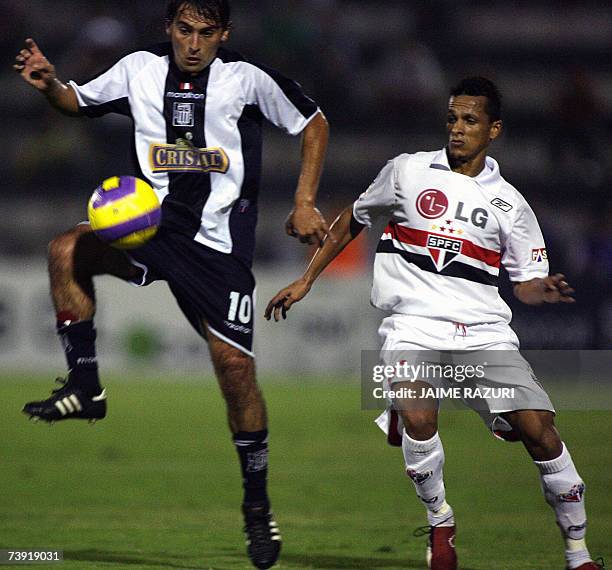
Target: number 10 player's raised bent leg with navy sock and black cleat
x,y
74,258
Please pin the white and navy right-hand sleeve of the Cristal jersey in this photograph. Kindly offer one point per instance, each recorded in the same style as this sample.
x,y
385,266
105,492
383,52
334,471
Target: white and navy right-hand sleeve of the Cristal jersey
x,y
281,100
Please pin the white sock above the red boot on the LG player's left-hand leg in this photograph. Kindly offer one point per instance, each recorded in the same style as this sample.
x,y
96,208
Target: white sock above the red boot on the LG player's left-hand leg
x,y
424,464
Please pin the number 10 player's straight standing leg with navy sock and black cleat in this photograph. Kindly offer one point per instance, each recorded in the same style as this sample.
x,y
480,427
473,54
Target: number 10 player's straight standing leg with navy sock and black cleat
x,y
246,412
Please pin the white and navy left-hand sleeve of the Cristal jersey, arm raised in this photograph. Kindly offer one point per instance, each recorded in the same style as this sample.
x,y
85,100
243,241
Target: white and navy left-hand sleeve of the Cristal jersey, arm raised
x,y
108,92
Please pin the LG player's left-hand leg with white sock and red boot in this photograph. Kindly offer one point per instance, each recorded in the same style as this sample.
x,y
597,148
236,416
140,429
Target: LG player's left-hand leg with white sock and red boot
x,y
424,457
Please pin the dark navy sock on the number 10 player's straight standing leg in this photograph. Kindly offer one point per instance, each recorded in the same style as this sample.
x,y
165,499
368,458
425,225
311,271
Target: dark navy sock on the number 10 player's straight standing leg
x,y
252,449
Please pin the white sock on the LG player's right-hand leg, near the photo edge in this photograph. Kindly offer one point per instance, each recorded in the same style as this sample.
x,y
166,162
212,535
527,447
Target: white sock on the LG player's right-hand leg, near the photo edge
x,y
564,492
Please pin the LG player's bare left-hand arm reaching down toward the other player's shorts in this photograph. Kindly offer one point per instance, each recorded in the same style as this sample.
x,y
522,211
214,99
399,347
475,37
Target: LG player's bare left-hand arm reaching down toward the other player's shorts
x,y
342,232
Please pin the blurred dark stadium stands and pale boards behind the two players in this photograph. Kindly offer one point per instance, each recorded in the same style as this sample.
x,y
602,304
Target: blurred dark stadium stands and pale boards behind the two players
x,y
381,72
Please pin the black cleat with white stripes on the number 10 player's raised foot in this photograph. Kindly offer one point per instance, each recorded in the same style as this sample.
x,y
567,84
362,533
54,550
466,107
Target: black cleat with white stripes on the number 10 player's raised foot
x,y
68,402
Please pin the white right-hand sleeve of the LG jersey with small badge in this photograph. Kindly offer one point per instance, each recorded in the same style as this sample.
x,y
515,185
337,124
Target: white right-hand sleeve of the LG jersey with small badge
x,y
524,252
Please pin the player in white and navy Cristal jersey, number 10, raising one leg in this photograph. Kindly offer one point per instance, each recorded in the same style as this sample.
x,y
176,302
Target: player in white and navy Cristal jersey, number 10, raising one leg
x,y
206,104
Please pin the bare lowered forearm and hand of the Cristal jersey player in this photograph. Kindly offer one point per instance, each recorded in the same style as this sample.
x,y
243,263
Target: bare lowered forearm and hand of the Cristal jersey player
x,y
305,222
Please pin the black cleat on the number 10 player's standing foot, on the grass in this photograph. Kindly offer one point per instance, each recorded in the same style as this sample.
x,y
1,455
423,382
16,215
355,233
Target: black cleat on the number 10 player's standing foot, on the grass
x,y
263,538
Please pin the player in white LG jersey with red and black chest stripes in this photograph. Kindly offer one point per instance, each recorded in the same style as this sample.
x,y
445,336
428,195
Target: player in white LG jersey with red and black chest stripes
x,y
452,220
